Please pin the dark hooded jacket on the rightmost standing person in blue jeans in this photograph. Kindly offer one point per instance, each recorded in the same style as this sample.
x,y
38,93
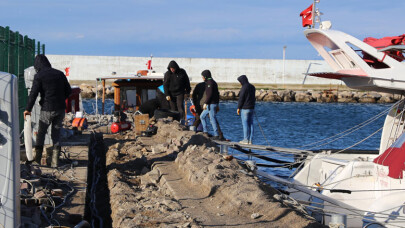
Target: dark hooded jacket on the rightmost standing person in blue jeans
x,y
247,94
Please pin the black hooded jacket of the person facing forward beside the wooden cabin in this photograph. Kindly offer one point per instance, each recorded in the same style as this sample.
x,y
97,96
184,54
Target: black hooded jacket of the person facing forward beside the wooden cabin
x,y
176,83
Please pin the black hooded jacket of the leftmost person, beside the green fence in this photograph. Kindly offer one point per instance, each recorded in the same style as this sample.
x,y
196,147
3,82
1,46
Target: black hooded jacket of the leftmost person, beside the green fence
x,y
51,84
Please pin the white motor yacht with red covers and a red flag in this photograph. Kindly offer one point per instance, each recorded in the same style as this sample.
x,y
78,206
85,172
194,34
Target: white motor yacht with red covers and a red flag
x,y
365,190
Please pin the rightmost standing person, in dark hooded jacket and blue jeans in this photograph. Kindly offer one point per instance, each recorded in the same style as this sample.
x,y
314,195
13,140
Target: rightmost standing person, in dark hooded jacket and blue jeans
x,y
246,106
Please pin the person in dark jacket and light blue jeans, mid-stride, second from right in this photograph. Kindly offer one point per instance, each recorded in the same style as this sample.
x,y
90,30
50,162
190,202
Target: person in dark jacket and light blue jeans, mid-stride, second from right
x,y
210,104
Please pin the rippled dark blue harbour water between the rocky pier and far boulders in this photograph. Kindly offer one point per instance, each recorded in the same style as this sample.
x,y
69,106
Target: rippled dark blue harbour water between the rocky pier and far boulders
x,y
293,125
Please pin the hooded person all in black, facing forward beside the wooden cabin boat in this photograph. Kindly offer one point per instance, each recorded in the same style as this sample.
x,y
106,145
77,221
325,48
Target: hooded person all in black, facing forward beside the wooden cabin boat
x,y
177,87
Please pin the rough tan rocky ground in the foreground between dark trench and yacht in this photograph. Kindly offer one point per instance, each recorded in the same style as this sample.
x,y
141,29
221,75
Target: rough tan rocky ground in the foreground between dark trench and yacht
x,y
177,178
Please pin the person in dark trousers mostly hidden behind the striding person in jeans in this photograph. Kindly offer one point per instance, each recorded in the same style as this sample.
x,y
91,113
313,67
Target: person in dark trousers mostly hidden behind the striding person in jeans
x,y
198,101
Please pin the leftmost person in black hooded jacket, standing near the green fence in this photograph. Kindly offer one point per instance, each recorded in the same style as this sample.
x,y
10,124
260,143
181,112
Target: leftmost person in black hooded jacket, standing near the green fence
x,y
54,89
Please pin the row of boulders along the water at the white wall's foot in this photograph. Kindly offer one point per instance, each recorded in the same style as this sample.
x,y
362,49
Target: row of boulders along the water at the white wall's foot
x,y
343,96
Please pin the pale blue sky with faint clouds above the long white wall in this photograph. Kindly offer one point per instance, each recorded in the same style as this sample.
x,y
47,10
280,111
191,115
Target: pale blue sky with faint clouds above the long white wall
x,y
254,29
